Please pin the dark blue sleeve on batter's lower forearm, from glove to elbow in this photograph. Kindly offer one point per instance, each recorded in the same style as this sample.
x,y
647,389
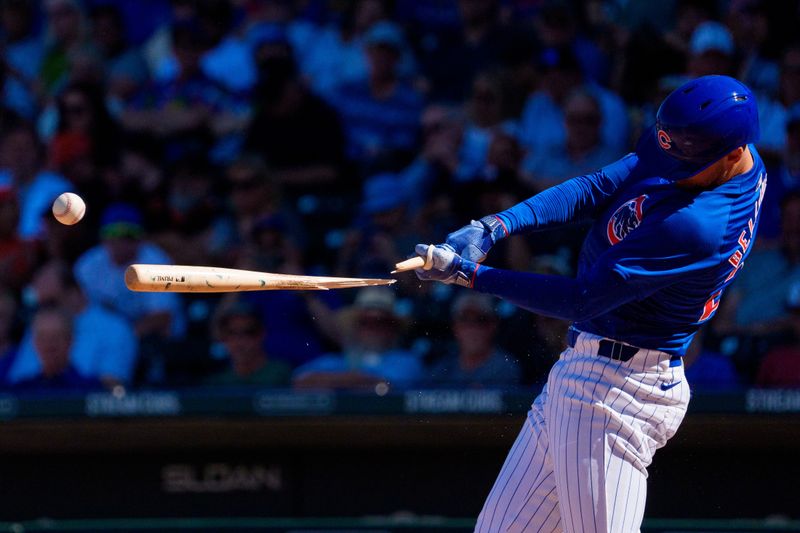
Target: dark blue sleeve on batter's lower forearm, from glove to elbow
x,y
560,297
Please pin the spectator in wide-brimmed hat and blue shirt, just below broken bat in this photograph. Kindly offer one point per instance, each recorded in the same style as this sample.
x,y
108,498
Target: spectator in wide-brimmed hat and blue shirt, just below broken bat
x,y
371,354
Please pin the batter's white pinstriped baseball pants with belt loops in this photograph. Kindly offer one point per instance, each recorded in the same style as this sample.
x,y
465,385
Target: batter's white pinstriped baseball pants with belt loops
x,y
579,463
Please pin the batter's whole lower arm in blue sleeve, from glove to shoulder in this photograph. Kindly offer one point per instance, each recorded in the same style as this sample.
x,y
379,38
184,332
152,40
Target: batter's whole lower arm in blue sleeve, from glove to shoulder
x,y
630,270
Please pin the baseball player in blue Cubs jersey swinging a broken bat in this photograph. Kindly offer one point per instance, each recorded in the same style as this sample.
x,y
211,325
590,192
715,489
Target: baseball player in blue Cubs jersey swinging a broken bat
x,y
673,224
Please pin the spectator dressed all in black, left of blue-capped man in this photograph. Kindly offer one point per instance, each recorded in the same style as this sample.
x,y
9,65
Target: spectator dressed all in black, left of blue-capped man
x,y
295,131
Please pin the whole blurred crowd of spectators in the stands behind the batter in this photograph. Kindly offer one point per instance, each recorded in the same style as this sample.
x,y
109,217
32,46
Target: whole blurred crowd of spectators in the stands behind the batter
x,y
327,137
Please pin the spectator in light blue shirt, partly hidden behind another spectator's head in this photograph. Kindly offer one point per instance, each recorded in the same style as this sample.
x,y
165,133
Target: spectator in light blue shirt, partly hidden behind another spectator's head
x,y
542,123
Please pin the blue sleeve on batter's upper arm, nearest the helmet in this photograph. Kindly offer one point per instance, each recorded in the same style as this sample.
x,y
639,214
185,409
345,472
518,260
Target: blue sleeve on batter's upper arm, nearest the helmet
x,y
574,200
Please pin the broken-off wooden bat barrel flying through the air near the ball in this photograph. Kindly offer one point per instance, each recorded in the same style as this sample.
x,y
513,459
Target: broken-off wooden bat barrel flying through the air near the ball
x,y
181,278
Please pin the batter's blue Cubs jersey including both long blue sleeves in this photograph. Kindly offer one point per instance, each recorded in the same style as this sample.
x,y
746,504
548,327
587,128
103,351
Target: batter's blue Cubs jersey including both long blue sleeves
x,y
656,260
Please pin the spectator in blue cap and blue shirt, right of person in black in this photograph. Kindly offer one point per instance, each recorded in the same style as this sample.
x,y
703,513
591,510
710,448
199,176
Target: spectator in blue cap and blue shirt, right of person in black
x,y
380,114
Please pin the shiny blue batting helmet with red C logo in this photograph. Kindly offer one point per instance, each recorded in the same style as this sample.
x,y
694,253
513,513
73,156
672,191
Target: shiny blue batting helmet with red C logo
x,y
705,118
